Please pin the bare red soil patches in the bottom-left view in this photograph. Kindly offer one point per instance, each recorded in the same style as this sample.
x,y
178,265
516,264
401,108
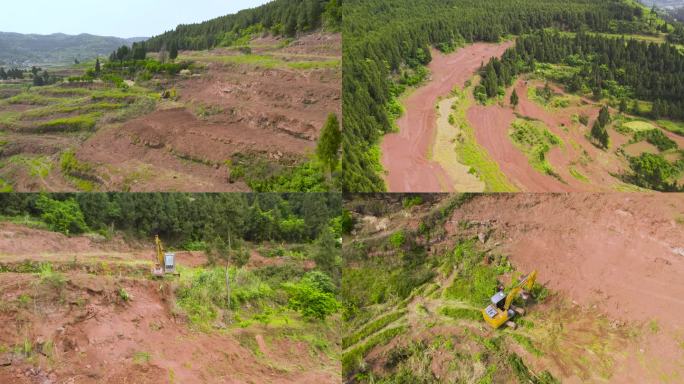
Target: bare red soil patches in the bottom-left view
x,y
98,338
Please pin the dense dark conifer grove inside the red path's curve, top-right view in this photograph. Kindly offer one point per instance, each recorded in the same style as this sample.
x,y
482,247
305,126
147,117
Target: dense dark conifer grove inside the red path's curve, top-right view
x,y
625,69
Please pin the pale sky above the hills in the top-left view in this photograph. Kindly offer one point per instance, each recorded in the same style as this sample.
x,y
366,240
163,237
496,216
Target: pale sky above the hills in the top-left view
x,y
120,18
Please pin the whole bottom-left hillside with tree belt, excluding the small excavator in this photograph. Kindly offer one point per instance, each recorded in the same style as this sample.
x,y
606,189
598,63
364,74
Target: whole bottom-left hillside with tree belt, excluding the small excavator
x,y
82,306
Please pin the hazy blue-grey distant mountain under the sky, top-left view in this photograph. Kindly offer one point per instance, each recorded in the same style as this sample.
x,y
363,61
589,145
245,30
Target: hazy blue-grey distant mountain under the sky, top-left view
x,y
25,50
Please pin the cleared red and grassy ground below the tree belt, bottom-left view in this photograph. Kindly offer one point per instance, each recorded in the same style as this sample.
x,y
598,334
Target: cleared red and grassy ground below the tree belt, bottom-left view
x,y
85,310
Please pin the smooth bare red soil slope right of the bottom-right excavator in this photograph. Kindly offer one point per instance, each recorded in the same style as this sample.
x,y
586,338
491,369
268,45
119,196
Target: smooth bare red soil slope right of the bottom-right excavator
x,y
622,254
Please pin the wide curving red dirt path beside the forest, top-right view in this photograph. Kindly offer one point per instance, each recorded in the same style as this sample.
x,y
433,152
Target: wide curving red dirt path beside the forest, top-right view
x,y
405,154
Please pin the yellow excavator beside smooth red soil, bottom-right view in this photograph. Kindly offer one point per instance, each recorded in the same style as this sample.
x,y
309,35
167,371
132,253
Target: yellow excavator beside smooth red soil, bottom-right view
x,y
502,311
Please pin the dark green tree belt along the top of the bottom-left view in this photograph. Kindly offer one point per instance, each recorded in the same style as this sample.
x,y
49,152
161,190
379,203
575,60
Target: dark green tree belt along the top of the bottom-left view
x,y
181,217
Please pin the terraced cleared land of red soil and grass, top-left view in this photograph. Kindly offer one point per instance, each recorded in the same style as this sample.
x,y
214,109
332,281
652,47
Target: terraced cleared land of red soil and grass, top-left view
x,y
236,110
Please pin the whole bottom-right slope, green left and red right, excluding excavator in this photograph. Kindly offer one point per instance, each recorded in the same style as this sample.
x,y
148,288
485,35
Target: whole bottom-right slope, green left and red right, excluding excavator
x,y
605,308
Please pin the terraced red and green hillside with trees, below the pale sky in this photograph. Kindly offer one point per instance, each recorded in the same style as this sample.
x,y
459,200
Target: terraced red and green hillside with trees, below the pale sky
x,y
247,114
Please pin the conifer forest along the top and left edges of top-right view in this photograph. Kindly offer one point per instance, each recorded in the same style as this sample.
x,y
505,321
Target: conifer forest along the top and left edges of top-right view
x,y
399,35
